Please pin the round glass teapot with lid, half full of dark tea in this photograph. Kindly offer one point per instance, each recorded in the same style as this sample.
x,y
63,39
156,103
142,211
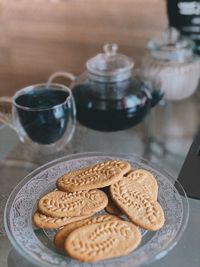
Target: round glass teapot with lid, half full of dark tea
x,y
108,96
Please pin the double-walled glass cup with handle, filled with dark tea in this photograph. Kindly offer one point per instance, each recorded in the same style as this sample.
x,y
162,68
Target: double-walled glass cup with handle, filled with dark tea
x,y
42,114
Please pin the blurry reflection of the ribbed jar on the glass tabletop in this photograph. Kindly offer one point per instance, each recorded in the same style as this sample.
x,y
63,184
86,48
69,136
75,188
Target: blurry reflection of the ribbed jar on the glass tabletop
x,y
177,125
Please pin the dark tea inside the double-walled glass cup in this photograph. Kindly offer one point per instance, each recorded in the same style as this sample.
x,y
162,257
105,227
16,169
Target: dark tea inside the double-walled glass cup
x,y
46,121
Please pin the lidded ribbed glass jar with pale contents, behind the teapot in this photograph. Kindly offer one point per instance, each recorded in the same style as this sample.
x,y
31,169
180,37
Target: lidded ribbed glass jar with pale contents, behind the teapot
x,y
171,65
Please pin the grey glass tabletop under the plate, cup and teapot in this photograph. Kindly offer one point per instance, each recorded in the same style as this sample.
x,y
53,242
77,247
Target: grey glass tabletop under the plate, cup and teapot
x,y
15,157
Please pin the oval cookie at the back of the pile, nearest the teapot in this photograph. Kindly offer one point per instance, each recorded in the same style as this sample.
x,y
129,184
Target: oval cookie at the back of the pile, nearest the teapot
x,y
95,176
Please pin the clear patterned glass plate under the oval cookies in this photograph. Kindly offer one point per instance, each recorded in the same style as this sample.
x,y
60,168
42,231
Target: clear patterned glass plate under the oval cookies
x,y
36,244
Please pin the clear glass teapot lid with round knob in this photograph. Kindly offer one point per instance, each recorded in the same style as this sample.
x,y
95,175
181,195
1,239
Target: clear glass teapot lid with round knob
x,y
110,65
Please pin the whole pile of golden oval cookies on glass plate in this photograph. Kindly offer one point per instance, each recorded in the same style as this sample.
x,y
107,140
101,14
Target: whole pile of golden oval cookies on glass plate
x,y
112,185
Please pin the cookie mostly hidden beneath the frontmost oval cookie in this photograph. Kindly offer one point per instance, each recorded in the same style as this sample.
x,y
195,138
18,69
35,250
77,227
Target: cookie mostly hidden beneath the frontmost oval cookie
x,y
62,234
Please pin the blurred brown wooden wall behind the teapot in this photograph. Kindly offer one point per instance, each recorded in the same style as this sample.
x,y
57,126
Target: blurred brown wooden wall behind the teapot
x,y
38,37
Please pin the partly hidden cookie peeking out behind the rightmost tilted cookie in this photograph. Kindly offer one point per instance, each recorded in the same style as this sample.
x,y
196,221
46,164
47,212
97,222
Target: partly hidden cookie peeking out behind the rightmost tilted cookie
x,y
146,180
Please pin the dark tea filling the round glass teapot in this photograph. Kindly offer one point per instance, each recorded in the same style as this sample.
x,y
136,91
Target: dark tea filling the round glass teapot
x,y
107,114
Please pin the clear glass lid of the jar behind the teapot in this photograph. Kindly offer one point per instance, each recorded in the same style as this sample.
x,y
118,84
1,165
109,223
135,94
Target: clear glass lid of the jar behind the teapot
x,y
172,46
